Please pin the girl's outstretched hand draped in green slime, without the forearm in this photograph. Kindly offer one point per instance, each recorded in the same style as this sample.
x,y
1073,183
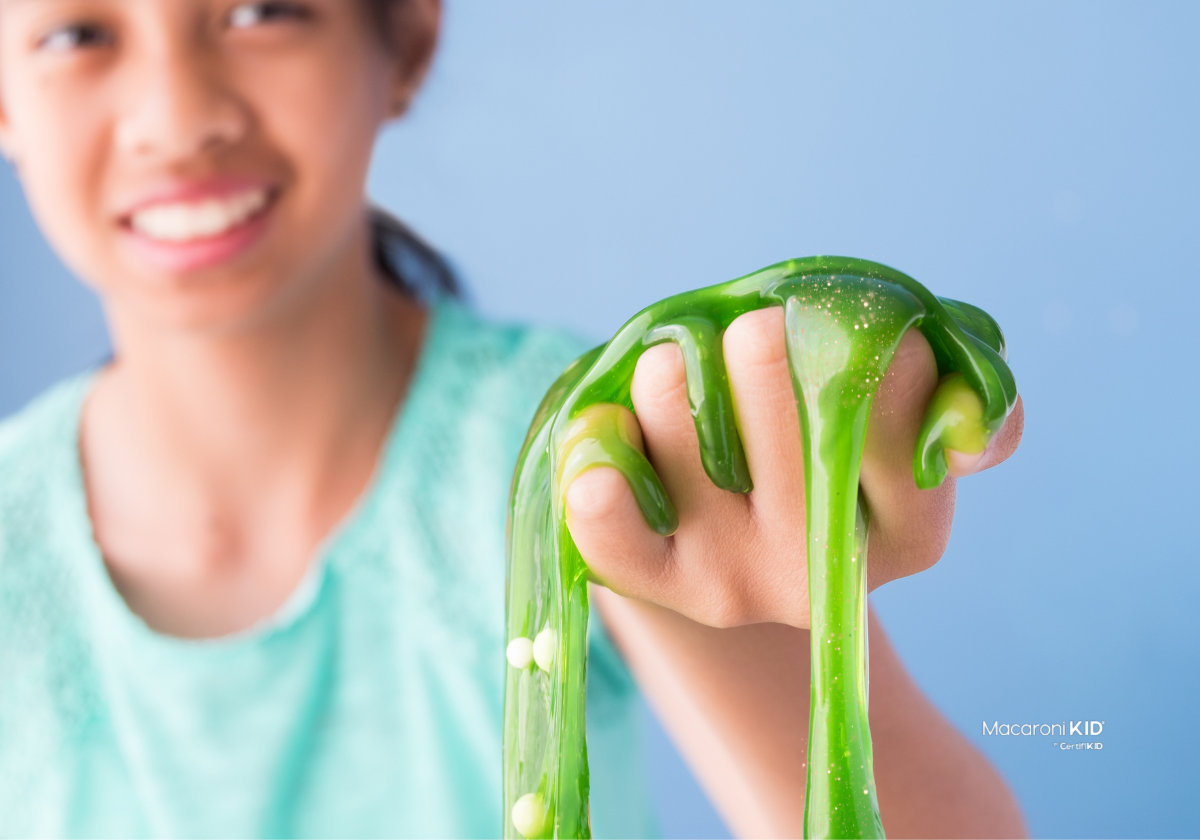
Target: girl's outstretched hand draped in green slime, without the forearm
x,y
741,559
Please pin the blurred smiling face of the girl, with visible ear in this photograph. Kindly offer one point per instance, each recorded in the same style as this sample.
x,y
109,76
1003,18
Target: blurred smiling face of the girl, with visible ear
x,y
202,163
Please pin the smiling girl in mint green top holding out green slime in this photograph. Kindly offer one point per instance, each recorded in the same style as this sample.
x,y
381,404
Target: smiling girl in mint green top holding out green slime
x,y
251,571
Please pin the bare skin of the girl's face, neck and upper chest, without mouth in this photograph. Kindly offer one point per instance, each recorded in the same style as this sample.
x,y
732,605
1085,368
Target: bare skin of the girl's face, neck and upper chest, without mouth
x,y
248,401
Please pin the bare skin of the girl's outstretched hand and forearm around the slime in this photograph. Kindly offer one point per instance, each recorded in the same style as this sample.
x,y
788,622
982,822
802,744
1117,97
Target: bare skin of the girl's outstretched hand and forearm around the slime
x,y
715,620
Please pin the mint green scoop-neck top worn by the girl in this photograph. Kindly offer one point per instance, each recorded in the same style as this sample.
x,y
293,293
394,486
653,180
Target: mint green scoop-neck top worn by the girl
x,y
369,706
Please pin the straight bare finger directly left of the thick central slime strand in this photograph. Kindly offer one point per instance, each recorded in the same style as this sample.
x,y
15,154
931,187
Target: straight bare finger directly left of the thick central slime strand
x,y
769,421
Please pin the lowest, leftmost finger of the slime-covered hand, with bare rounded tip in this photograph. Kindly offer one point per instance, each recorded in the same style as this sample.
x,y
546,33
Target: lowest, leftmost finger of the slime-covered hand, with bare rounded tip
x,y
613,537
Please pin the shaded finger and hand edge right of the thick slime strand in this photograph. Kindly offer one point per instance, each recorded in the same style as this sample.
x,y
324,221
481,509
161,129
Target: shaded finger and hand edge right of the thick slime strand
x,y
909,527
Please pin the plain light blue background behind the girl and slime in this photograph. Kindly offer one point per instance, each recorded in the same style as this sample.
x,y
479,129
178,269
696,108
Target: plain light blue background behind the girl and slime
x,y
1039,160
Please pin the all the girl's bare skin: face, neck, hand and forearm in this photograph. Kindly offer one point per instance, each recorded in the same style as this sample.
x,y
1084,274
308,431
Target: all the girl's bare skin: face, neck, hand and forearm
x,y
249,400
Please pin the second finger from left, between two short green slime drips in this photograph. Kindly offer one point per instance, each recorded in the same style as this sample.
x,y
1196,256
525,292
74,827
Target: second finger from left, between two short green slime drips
x,y
661,400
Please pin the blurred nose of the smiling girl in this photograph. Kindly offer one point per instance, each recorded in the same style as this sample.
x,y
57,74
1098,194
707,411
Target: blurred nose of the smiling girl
x,y
181,109
